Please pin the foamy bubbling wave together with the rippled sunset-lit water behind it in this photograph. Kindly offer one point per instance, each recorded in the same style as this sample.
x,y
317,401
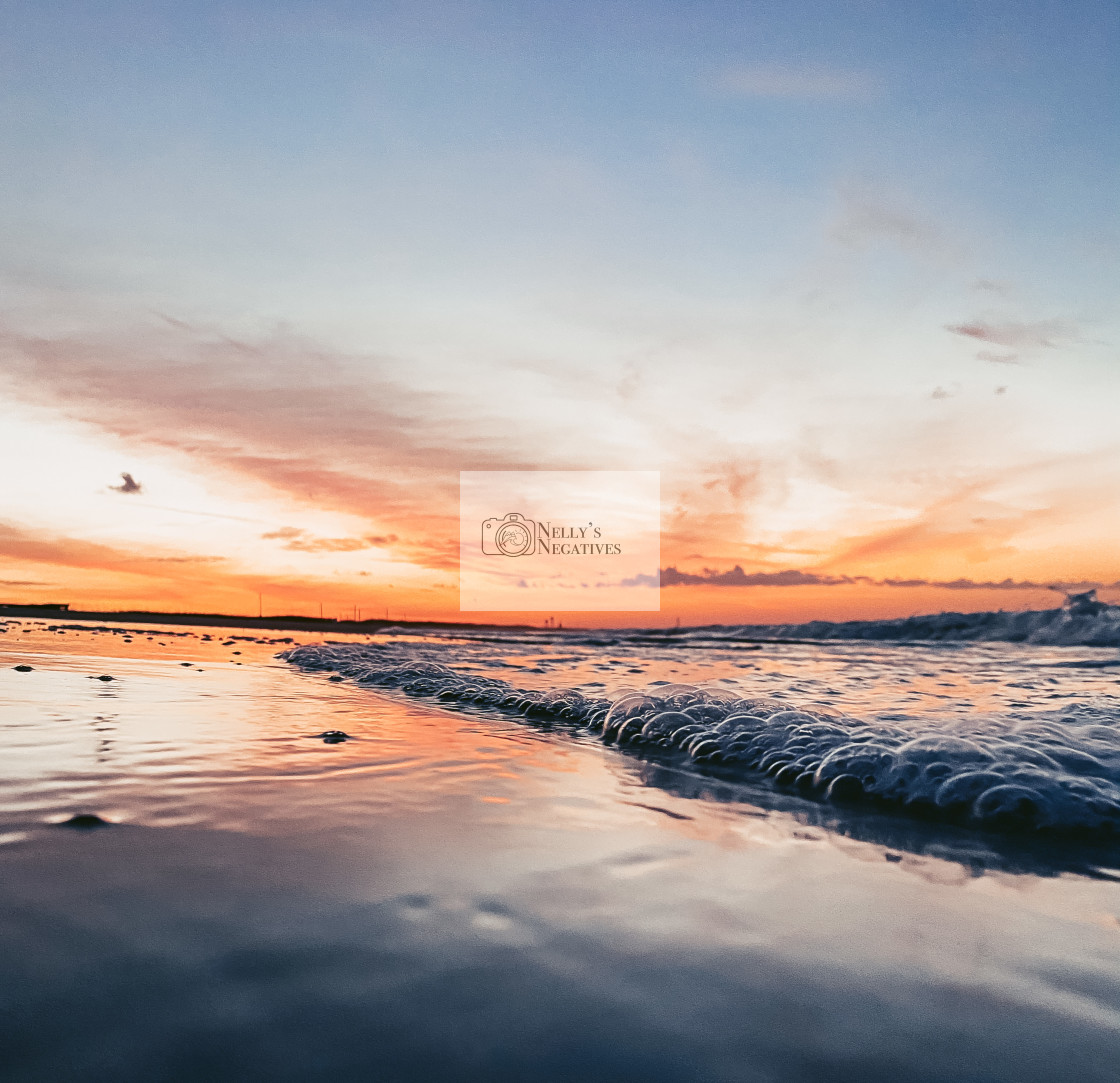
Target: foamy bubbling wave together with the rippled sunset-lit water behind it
x,y
1003,740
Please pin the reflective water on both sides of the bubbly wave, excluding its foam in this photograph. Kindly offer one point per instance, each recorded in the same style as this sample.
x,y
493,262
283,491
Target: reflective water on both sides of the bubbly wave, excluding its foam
x,y
460,893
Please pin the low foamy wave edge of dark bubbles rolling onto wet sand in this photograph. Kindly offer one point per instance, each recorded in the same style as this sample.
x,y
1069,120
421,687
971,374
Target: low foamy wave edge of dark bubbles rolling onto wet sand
x,y
1048,771
